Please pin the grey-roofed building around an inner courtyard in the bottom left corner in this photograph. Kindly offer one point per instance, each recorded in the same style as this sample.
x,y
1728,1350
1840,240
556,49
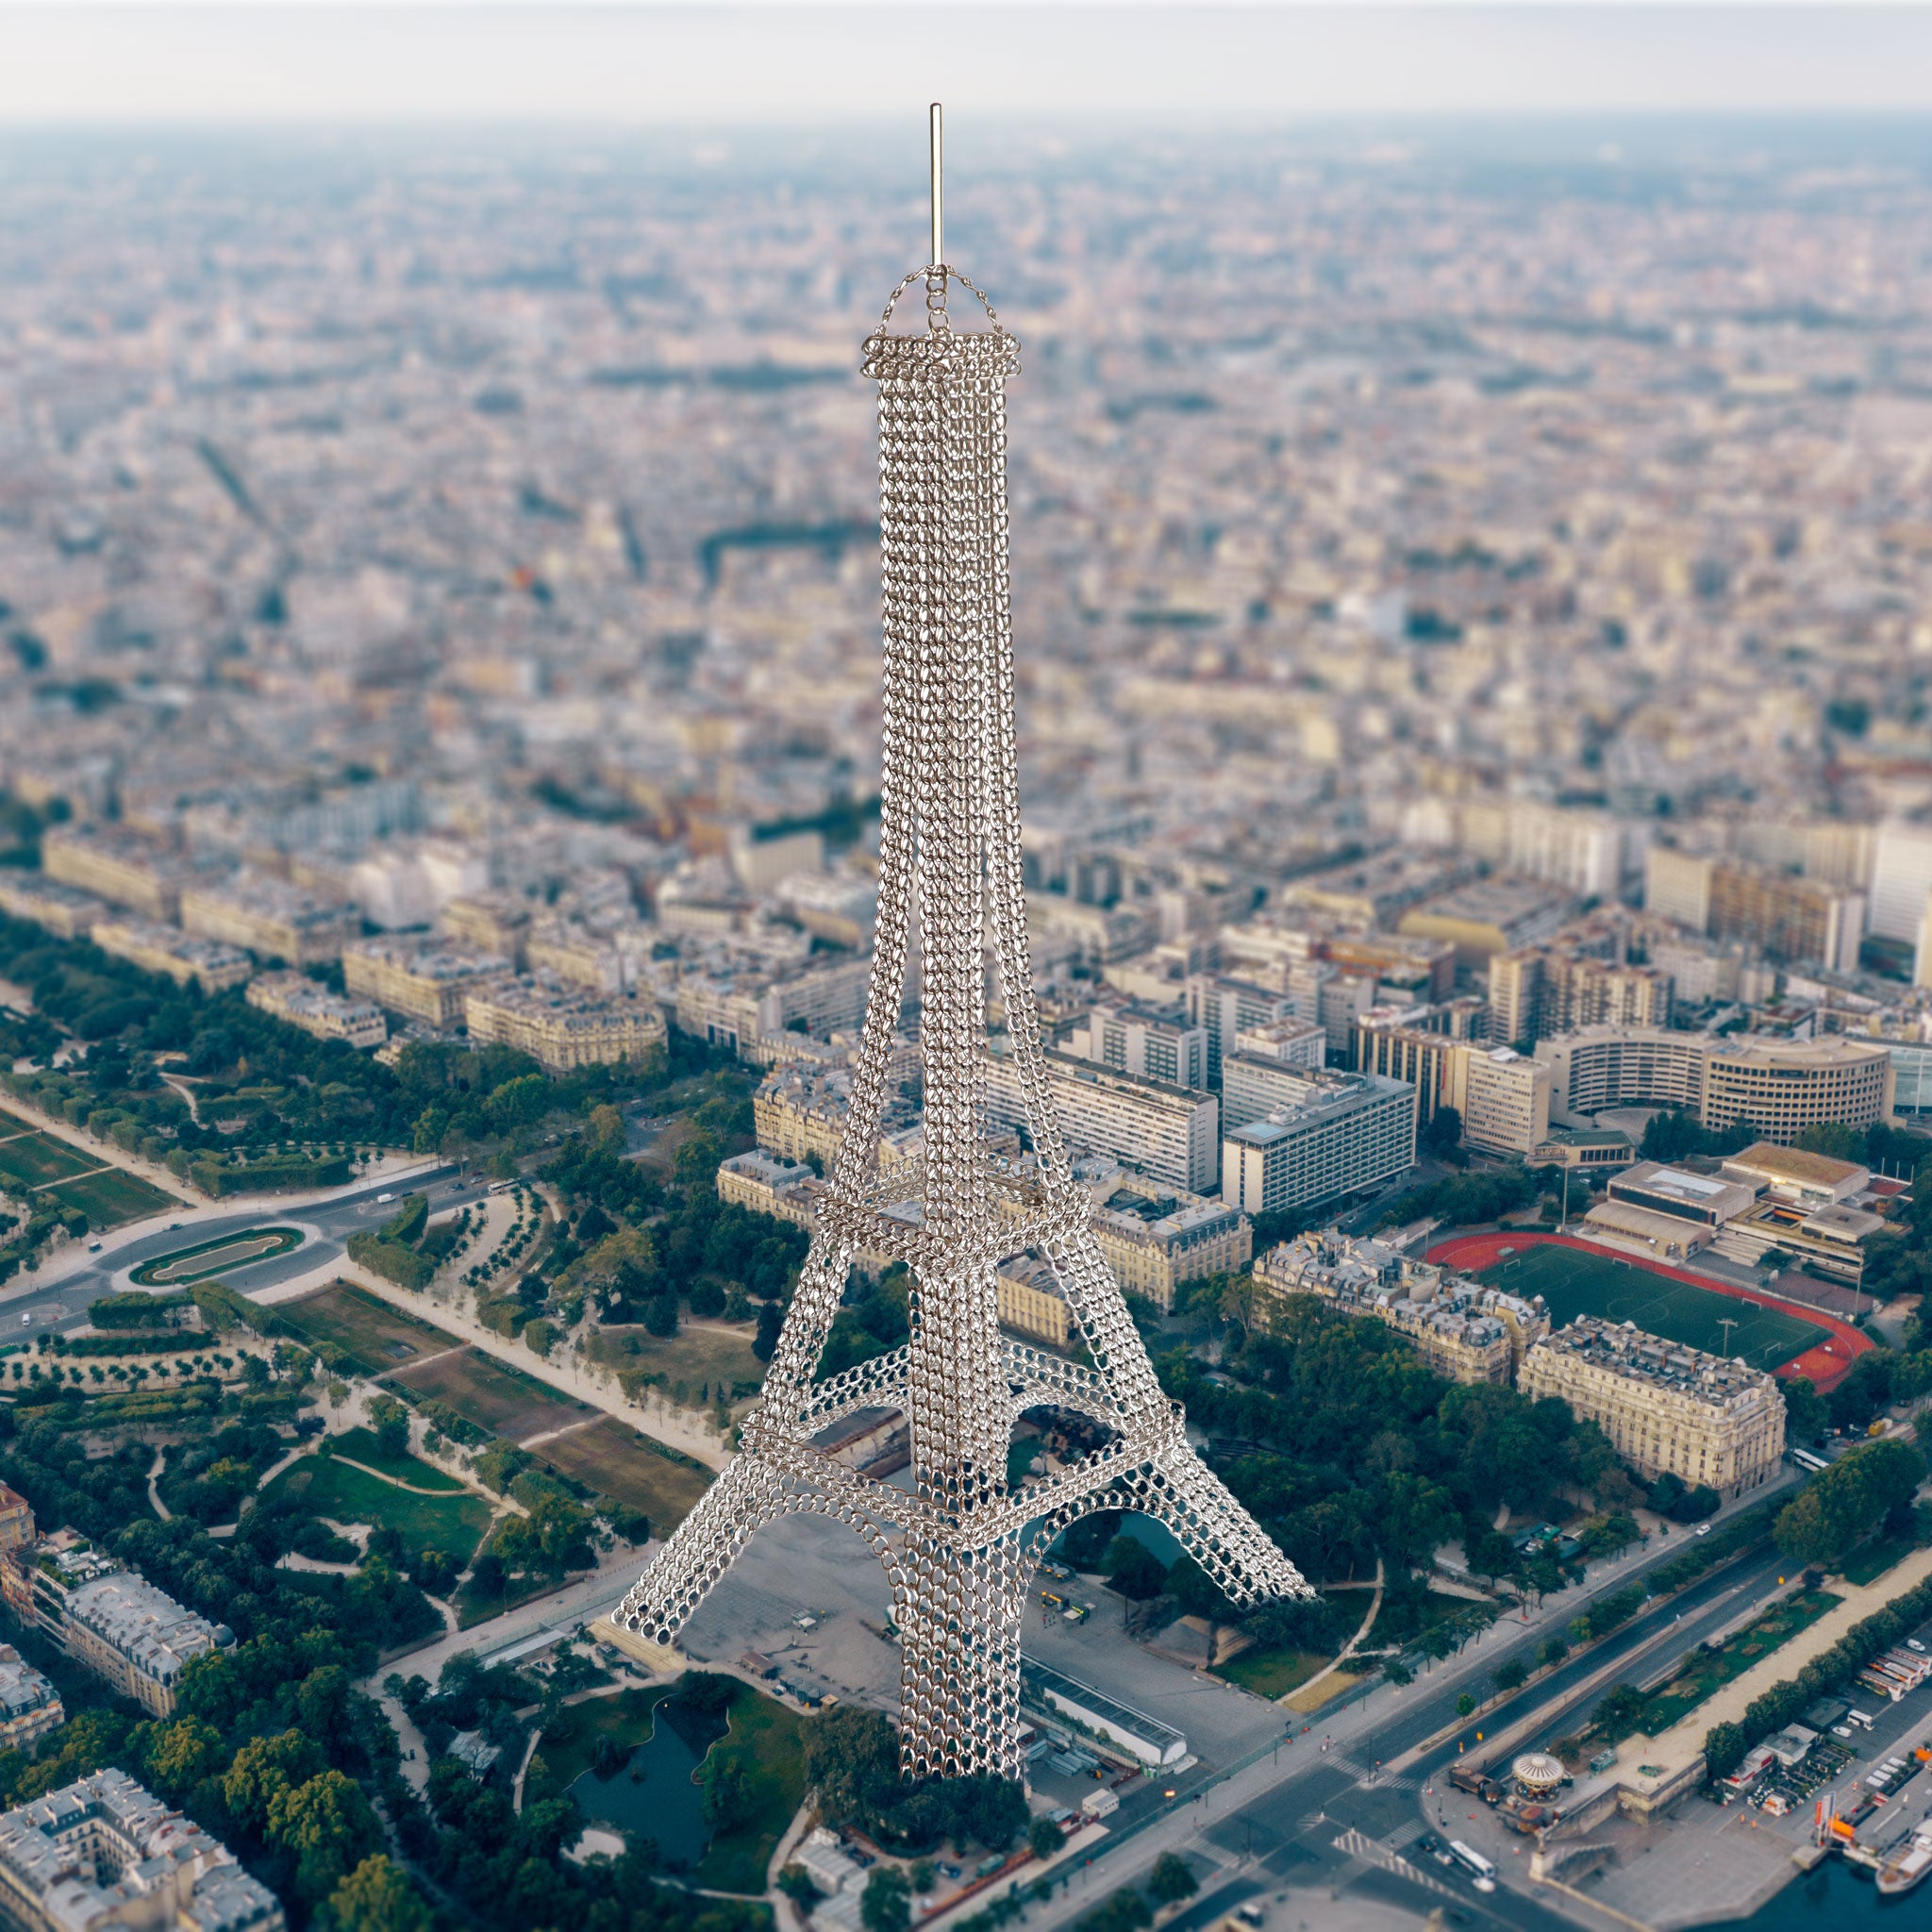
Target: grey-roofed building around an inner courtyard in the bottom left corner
x,y
103,1854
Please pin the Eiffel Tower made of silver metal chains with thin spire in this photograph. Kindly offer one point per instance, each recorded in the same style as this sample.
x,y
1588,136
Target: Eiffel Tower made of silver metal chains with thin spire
x,y
959,1548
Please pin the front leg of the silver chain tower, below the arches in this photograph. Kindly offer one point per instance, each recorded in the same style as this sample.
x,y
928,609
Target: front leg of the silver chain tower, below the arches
x,y
961,1661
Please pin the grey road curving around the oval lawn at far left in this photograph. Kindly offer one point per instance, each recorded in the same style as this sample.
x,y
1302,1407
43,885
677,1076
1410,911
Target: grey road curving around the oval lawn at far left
x,y
63,1303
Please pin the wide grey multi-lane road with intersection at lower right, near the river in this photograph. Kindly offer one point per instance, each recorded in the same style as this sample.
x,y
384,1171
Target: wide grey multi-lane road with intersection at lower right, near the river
x,y
1328,1823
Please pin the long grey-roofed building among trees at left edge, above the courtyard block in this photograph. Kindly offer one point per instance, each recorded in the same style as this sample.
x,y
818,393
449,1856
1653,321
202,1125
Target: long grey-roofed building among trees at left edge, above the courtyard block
x,y
109,1620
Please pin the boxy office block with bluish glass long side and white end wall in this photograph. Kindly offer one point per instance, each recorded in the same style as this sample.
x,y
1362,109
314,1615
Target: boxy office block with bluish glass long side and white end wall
x,y
1353,1133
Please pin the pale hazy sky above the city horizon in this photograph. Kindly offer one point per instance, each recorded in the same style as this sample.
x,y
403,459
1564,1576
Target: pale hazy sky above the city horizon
x,y
279,61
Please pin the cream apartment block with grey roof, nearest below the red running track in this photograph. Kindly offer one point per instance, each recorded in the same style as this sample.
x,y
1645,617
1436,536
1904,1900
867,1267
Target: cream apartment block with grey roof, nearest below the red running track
x,y
1664,1407
